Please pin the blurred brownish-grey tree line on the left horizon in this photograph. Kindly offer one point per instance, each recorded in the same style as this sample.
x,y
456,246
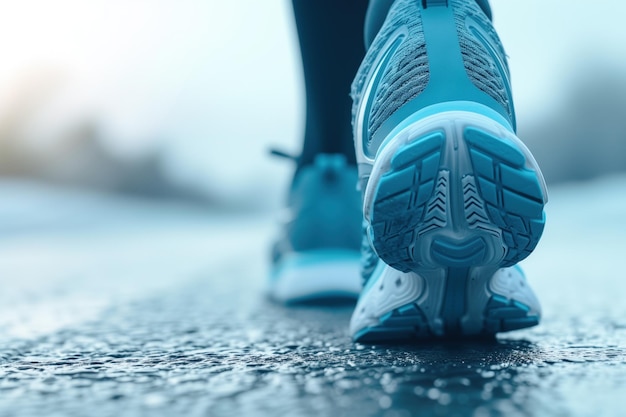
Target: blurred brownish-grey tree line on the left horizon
x,y
77,155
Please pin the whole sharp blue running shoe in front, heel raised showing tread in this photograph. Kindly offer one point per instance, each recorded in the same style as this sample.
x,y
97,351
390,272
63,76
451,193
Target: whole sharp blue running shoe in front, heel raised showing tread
x,y
451,197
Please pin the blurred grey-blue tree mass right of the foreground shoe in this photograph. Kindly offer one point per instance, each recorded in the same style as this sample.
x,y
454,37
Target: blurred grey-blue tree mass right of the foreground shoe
x,y
586,136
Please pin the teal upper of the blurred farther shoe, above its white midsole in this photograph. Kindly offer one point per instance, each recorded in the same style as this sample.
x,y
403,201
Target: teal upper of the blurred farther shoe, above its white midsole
x,y
323,209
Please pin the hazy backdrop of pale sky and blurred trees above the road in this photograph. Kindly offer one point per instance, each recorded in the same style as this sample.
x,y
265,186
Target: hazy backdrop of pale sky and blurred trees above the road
x,y
183,99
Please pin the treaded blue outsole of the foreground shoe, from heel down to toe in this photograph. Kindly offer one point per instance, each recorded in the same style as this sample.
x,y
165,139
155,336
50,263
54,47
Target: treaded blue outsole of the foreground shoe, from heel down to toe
x,y
452,198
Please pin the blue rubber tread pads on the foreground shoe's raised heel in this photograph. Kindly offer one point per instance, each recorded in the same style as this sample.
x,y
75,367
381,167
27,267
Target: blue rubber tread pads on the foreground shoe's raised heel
x,y
503,198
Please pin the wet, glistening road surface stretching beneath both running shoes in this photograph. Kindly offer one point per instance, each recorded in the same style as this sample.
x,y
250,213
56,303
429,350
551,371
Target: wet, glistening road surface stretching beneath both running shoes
x,y
115,306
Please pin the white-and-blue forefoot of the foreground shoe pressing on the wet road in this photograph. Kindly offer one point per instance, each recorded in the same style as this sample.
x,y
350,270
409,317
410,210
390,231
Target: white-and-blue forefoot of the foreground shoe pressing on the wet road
x,y
435,304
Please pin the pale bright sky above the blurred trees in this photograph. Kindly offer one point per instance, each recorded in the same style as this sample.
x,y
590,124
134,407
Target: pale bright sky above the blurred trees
x,y
215,84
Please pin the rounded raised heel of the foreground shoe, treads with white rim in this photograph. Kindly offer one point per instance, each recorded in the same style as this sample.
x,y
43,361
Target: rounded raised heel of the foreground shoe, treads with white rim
x,y
456,190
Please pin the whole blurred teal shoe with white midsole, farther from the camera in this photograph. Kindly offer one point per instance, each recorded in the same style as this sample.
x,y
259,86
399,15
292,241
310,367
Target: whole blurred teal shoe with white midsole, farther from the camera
x,y
317,256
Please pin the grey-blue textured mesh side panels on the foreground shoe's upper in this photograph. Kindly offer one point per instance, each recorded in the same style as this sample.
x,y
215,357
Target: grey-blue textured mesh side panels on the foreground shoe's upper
x,y
407,75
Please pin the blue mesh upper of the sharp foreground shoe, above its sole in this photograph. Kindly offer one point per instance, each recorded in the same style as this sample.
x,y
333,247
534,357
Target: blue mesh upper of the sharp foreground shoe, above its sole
x,y
428,52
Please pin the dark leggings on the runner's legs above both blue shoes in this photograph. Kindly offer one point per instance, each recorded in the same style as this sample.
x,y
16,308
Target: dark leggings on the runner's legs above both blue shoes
x,y
331,35
